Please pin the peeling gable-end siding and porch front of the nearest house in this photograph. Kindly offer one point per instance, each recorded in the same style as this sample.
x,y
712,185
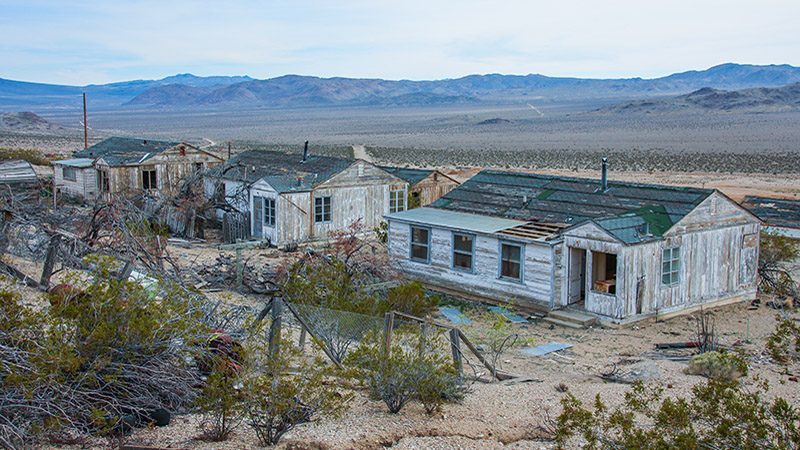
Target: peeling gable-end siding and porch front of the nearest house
x,y
718,244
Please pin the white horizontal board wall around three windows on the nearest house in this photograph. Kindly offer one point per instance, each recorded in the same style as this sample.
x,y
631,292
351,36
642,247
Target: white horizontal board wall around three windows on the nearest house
x,y
484,281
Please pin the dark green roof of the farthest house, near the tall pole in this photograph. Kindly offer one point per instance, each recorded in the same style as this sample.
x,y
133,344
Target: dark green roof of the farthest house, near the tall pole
x,y
122,151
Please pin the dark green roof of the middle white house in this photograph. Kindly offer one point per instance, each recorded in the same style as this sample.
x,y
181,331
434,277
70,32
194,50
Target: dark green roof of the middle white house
x,y
281,170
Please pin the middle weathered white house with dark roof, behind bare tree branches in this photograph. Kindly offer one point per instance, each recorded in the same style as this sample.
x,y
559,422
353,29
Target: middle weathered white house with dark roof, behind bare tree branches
x,y
292,198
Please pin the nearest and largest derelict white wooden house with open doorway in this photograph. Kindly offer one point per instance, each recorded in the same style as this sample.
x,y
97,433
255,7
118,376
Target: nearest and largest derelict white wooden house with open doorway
x,y
617,251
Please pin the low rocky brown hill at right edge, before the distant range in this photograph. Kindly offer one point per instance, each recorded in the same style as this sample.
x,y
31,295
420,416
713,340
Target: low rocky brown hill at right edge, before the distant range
x,y
781,99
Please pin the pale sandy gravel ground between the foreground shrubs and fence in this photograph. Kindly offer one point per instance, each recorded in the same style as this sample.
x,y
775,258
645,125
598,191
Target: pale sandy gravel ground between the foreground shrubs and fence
x,y
500,415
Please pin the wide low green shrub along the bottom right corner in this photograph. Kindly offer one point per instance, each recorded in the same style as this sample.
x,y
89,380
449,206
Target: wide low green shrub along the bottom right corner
x,y
718,414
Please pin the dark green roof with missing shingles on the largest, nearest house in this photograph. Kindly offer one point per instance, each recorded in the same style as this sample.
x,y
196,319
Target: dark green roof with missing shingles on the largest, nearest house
x,y
631,211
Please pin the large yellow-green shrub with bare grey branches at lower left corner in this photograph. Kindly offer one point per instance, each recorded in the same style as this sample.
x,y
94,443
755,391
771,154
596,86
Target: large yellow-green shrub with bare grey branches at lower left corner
x,y
102,351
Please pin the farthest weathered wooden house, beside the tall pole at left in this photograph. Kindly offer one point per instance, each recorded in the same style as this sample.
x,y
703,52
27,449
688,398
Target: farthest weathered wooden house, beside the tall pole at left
x,y
128,165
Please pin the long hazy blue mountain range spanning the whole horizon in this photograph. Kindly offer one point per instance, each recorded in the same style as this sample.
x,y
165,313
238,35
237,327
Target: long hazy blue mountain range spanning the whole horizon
x,y
191,92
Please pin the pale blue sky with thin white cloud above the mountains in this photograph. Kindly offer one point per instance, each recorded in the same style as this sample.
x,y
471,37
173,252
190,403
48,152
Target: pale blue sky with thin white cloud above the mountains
x,y
81,42
